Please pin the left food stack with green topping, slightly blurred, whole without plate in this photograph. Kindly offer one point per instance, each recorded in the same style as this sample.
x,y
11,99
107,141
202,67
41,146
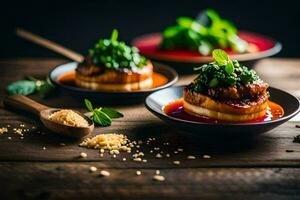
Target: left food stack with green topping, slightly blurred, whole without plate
x,y
114,66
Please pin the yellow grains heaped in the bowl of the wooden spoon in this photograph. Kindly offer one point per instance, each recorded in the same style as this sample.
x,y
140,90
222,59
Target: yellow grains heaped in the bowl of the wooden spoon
x,y
69,118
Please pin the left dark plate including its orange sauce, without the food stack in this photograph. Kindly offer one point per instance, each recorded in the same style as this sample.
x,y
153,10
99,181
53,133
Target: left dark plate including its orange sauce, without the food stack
x,y
63,77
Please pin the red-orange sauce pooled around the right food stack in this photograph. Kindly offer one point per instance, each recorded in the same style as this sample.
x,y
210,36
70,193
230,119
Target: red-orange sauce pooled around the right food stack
x,y
175,109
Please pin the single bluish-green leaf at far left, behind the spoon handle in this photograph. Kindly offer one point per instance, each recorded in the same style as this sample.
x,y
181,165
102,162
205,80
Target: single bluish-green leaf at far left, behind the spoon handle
x,y
21,87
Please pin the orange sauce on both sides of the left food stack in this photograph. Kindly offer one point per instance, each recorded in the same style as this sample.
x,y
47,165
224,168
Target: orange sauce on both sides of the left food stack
x,y
69,79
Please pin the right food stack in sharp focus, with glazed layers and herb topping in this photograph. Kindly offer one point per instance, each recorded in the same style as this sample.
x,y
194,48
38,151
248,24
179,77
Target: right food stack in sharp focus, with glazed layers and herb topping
x,y
226,90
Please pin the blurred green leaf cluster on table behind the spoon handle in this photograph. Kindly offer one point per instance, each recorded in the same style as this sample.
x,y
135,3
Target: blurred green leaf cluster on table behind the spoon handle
x,y
27,87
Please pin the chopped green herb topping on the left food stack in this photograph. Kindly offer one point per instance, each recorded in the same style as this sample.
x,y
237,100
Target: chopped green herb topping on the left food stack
x,y
114,54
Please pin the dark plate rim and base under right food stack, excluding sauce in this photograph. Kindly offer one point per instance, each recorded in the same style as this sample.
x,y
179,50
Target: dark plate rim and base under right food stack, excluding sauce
x,y
157,100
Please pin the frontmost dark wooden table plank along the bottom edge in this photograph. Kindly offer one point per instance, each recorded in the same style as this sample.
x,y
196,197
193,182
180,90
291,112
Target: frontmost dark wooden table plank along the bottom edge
x,y
74,181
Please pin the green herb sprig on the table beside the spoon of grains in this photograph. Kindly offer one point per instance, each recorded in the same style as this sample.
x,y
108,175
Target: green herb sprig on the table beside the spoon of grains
x,y
102,116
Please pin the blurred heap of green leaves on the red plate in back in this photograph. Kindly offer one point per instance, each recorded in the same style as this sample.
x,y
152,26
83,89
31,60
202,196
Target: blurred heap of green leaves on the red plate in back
x,y
203,34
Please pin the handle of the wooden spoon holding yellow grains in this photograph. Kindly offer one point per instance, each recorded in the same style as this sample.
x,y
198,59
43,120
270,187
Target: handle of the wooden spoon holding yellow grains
x,y
24,103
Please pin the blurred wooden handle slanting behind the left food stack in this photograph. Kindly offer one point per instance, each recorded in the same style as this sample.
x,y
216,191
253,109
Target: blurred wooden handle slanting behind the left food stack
x,y
50,45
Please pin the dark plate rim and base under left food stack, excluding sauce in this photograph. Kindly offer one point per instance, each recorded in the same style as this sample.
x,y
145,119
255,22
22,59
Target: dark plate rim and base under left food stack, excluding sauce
x,y
110,97
